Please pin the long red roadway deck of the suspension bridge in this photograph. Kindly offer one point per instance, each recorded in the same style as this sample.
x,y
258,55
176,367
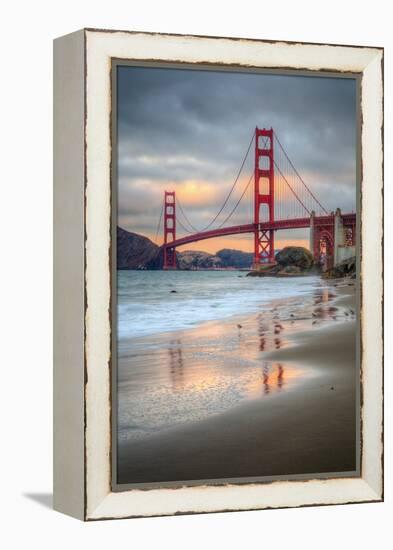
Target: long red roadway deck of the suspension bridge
x,y
295,223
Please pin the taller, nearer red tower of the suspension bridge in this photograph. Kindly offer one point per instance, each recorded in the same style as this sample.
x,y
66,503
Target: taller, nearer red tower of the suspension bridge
x,y
263,194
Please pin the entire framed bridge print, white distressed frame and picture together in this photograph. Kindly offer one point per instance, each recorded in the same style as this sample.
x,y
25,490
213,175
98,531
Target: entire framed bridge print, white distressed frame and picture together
x,y
218,274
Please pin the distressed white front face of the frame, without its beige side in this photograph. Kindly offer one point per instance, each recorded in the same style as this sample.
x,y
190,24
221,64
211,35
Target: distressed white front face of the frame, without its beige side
x,y
101,47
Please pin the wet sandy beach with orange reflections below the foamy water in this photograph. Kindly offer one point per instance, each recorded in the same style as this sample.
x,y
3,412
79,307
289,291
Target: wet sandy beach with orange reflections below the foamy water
x,y
271,393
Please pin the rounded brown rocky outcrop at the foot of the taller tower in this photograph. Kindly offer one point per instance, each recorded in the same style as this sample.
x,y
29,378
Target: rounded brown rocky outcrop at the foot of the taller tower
x,y
291,261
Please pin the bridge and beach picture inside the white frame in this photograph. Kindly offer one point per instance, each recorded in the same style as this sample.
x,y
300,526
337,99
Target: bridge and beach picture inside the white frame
x,y
236,316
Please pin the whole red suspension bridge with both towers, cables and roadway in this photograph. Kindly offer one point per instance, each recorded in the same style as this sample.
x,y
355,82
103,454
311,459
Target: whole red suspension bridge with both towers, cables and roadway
x,y
275,178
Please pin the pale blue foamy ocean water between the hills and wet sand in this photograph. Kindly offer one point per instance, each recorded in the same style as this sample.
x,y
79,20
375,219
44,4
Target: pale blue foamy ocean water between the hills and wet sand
x,y
147,304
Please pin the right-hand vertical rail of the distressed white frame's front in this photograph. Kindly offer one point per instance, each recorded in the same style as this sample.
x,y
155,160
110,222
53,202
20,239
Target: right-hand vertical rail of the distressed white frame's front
x,y
371,268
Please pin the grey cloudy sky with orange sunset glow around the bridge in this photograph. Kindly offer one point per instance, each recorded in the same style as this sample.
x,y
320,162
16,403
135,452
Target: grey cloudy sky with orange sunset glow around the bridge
x,y
188,131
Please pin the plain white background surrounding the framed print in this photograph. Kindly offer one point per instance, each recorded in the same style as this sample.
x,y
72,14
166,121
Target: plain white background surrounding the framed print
x,y
28,28
